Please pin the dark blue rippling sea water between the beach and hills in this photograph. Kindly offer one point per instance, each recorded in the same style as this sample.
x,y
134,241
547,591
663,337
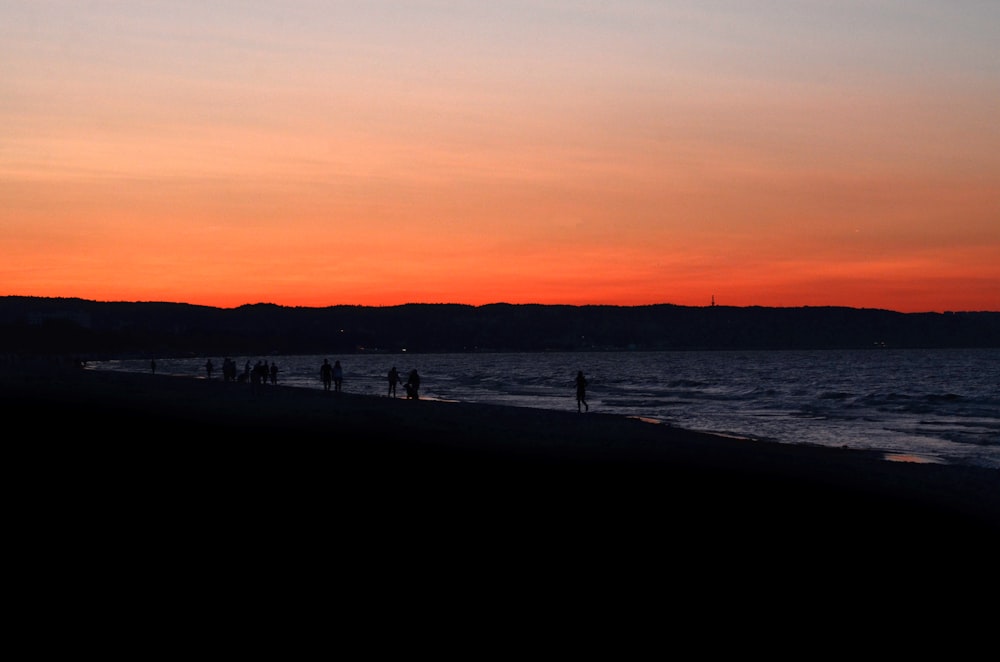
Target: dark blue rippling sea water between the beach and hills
x,y
914,405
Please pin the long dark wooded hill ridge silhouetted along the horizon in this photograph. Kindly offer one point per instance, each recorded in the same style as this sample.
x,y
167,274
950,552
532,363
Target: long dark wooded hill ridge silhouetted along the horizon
x,y
69,326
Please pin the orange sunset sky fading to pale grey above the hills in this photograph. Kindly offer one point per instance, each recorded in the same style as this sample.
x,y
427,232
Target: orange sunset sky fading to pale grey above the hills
x,y
625,152
